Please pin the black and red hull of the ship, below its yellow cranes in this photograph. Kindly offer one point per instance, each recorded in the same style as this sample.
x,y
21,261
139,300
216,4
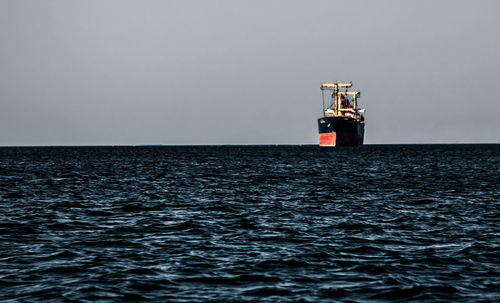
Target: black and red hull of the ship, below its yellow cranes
x,y
340,131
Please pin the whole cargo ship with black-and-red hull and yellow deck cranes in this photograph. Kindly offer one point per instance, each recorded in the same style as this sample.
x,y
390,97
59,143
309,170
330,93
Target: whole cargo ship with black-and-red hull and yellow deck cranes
x,y
343,123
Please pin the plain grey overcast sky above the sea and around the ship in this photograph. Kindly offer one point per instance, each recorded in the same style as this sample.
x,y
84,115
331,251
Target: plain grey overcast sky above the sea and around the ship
x,y
245,72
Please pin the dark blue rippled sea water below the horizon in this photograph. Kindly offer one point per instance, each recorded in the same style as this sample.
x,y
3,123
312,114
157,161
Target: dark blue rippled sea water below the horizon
x,y
250,223
